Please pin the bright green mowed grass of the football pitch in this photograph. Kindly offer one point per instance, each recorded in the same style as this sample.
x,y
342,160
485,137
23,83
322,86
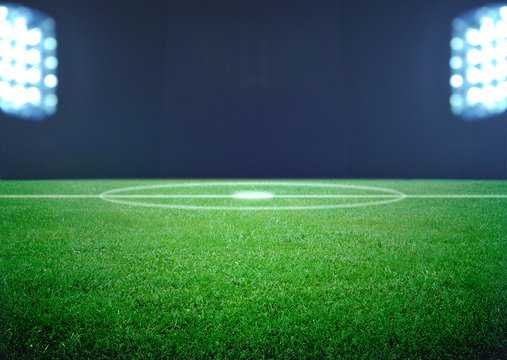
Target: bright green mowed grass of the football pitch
x,y
90,279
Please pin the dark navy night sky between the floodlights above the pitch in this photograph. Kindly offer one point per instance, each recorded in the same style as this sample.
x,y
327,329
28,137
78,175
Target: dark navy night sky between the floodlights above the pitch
x,y
253,89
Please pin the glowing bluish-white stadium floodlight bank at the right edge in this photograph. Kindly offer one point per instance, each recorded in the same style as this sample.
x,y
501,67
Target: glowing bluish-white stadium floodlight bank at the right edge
x,y
479,63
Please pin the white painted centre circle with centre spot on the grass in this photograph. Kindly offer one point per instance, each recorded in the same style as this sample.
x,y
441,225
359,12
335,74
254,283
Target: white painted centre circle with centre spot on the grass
x,y
114,196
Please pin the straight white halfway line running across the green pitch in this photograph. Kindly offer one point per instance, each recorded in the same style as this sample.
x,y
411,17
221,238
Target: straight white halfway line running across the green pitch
x,y
232,196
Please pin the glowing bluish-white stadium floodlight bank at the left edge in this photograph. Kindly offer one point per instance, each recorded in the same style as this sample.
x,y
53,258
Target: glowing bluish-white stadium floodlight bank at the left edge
x,y
28,63
